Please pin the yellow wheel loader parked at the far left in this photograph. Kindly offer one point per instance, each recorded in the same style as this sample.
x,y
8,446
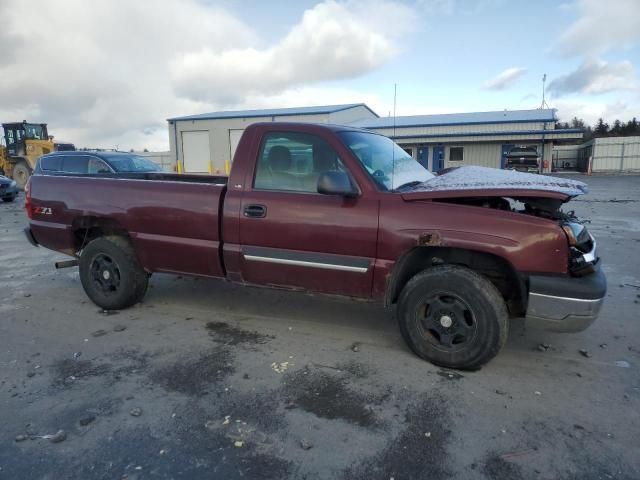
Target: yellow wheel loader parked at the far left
x,y
24,143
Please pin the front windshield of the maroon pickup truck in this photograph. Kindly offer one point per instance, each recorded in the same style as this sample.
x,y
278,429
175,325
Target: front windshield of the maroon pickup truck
x,y
387,163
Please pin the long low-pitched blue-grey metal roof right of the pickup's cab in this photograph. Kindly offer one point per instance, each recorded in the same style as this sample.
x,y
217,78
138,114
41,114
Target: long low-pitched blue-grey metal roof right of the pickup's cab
x,y
502,116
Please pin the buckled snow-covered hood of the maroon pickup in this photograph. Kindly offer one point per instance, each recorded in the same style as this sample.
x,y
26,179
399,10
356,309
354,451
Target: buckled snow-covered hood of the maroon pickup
x,y
467,181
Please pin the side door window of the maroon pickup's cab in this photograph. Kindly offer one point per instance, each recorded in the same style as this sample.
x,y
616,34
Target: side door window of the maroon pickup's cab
x,y
294,162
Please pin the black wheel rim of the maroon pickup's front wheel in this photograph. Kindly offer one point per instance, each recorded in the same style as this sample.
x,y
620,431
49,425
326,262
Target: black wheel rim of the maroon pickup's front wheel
x,y
446,321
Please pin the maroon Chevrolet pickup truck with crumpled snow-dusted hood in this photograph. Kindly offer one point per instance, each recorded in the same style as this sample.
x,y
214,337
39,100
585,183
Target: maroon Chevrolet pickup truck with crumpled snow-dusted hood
x,y
338,210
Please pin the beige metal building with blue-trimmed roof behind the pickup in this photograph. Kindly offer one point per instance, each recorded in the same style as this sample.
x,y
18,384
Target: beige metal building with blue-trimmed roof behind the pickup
x,y
206,143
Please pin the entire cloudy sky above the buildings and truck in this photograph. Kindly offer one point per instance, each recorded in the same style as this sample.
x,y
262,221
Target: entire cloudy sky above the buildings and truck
x,y
107,73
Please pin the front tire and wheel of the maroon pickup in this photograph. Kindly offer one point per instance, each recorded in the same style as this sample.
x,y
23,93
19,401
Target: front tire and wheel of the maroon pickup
x,y
453,317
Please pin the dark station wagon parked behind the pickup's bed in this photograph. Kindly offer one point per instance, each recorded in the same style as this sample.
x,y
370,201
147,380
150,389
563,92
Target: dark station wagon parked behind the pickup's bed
x,y
91,163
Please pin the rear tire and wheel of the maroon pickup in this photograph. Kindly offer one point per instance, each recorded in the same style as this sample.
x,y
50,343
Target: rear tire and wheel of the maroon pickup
x,y
111,274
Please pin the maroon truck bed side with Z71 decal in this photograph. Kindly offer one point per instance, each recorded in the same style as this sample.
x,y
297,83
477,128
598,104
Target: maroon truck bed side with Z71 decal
x,y
172,220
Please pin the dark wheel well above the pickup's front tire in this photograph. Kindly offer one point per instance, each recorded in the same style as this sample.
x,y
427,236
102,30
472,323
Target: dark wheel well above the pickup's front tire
x,y
496,269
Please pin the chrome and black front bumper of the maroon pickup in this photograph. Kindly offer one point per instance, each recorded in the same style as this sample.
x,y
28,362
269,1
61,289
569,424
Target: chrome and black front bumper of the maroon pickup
x,y
566,304
